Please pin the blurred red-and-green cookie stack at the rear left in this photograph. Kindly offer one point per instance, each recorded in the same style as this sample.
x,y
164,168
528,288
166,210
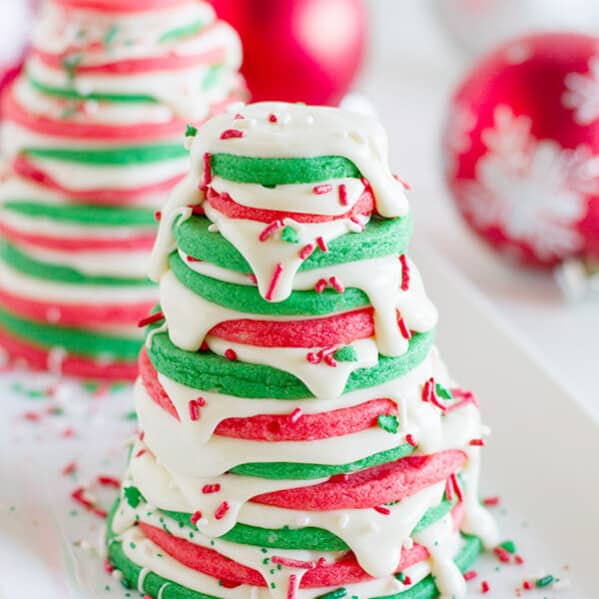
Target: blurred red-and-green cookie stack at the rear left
x,y
92,137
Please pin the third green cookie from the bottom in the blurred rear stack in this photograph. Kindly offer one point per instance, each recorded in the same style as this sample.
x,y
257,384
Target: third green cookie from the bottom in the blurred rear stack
x,y
92,216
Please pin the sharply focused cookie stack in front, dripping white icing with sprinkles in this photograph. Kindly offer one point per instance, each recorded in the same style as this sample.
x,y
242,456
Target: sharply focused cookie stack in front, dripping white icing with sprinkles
x,y
300,436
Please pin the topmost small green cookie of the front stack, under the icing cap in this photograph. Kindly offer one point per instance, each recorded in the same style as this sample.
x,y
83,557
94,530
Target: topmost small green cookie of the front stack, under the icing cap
x,y
281,171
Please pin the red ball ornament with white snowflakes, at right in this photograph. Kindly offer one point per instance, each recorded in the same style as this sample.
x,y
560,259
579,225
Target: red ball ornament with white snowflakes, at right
x,y
522,142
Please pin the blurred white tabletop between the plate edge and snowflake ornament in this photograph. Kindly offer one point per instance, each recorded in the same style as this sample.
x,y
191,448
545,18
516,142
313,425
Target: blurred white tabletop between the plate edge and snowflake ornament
x,y
411,70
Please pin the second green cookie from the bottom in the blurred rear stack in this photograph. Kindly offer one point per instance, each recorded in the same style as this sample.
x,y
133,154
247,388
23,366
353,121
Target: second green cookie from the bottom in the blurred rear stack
x,y
61,274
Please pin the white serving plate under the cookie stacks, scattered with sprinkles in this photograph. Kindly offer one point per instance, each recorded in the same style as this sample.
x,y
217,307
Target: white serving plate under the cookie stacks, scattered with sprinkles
x,y
541,460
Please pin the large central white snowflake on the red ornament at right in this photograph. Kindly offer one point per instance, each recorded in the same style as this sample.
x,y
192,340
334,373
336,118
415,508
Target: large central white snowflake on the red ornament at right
x,y
534,190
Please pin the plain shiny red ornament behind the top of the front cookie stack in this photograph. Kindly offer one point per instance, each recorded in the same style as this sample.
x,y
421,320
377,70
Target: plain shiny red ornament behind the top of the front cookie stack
x,y
298,50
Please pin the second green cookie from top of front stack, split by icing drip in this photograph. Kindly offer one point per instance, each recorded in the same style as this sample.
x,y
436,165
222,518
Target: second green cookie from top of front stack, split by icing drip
x,y
381,237
